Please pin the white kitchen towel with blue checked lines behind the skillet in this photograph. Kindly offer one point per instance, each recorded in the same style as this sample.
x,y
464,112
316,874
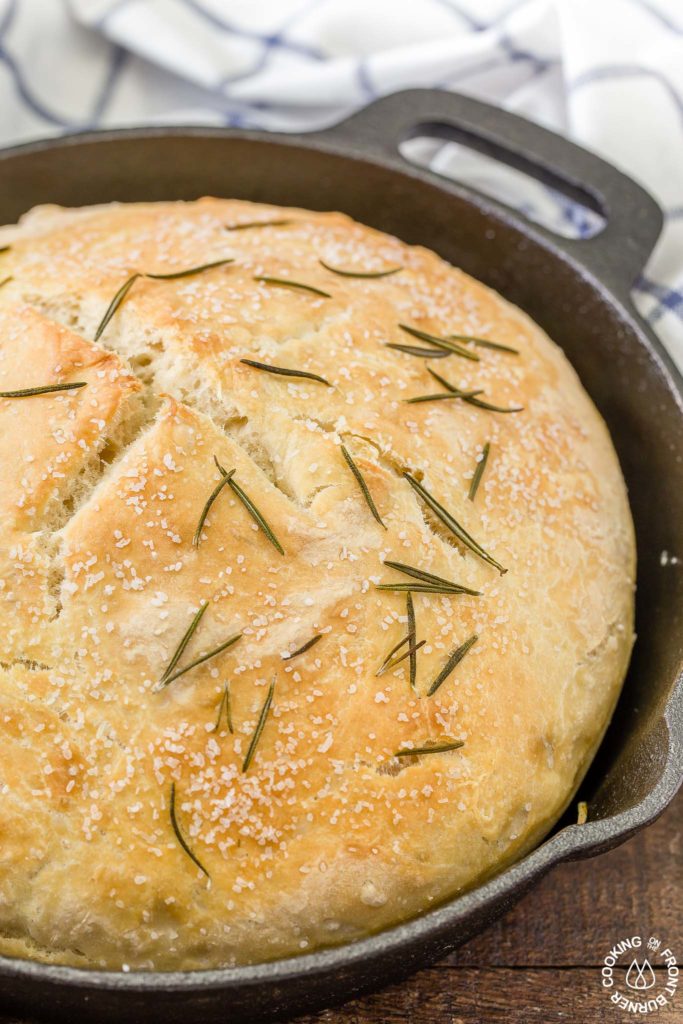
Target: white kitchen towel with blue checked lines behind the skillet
x,y
608,73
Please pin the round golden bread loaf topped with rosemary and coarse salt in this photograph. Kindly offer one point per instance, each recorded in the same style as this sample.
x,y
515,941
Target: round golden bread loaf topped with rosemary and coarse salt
x,y
287,656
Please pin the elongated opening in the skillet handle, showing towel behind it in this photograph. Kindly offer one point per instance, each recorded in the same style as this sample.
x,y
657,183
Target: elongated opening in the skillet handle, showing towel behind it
x,y
564,207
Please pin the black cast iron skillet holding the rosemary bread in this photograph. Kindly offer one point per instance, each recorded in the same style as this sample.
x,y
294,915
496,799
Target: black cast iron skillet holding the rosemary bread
x,y
579,292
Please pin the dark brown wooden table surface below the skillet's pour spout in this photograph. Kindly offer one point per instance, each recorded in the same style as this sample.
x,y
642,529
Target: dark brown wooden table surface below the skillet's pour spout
x,y
542,962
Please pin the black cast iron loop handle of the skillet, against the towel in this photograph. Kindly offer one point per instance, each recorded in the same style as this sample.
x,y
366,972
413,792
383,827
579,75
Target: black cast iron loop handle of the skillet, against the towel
x,y
633,220
